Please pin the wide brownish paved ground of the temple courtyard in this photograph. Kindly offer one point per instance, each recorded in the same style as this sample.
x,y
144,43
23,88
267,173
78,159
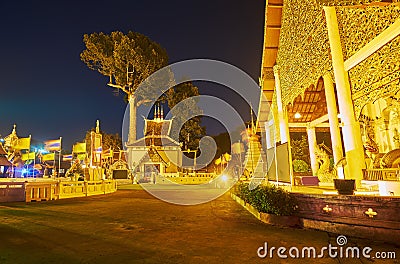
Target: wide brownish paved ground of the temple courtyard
x,y
131,226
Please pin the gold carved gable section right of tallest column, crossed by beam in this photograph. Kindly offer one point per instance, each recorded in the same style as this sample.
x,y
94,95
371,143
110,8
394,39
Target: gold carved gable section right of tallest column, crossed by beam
x,y
378,75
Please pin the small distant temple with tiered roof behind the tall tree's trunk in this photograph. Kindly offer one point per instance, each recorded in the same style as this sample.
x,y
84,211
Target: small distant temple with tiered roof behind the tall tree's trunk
x,y
156,152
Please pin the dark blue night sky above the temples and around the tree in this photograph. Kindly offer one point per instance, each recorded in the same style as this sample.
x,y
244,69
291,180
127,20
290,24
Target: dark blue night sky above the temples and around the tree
x,y
48,92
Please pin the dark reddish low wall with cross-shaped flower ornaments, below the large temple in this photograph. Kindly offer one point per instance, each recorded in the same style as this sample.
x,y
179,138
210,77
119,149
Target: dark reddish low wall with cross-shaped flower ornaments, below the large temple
x,y
375,218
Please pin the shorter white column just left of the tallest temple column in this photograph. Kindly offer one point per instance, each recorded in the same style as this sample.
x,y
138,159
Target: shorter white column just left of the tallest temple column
x,y
333,118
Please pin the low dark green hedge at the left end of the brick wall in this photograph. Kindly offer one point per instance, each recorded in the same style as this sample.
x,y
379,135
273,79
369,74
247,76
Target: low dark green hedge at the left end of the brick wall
x,y
268,199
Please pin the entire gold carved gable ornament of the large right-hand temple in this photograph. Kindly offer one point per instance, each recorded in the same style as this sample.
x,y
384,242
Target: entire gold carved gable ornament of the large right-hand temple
x,y
304,52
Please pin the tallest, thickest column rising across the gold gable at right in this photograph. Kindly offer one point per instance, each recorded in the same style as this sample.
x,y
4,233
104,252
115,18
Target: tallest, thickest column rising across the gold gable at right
x,y
351,128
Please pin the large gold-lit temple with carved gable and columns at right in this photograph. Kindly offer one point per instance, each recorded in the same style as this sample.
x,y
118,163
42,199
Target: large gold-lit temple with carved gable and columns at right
x,y
333,66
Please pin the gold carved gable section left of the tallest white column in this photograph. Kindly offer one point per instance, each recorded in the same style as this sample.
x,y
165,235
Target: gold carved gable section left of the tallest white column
x,y
304,54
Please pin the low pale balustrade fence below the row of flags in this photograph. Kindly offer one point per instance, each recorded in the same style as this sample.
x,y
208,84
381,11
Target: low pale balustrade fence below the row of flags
x,y
52,190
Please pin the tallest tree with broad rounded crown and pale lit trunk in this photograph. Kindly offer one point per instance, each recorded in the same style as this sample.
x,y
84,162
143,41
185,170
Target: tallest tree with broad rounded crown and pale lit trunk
x,y
127,60
